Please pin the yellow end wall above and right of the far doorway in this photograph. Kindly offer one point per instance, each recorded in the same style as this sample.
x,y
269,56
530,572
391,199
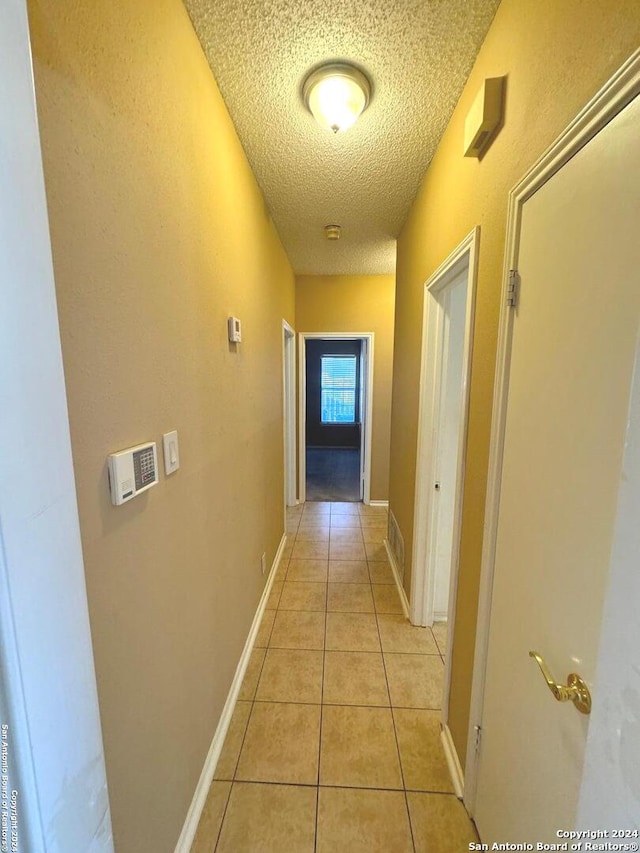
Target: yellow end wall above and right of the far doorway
x,y
358,303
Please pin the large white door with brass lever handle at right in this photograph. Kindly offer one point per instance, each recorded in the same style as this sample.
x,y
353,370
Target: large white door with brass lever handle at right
x,y
570,370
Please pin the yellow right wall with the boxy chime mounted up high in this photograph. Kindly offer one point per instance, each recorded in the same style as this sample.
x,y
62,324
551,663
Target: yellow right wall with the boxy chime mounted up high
x,y
556,55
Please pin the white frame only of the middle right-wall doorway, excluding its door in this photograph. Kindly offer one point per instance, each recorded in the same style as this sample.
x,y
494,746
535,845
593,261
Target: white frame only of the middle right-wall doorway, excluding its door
x,y
433,369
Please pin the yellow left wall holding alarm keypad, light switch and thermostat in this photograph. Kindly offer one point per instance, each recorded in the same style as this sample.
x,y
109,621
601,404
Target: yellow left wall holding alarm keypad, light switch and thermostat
x,y
159,234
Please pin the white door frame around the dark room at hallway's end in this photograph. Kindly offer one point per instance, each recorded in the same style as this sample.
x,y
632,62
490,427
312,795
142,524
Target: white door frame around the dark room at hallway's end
x,y
367,340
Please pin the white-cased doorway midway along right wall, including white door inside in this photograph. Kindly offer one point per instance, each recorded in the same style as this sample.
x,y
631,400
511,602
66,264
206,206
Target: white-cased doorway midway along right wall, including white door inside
x,y
444,397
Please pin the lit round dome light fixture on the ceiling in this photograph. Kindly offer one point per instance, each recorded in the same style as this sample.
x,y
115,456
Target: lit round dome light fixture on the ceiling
x,y
336,94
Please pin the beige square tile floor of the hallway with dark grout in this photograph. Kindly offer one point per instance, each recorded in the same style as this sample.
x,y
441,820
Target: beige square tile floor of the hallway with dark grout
x,y
335,741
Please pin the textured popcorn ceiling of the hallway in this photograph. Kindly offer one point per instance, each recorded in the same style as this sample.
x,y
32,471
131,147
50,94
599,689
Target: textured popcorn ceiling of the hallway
x,y
418,55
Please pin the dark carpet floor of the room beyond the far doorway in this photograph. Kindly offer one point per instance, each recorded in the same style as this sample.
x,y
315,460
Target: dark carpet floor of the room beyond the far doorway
x,y
333,474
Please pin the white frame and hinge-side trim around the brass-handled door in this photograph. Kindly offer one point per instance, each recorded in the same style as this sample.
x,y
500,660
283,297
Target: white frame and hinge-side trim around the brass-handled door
x,y
616,94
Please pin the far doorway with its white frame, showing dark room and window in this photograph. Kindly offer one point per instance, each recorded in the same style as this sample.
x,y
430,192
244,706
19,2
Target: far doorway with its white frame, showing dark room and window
x,y
335,416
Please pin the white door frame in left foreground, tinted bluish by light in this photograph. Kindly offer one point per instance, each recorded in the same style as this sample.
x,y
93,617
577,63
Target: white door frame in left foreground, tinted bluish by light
x,y
55,761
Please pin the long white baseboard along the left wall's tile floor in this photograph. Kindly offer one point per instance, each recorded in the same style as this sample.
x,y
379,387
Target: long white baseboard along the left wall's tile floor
x,y
206,777
